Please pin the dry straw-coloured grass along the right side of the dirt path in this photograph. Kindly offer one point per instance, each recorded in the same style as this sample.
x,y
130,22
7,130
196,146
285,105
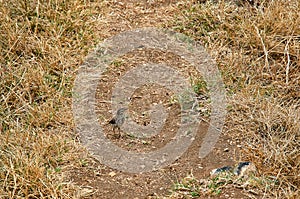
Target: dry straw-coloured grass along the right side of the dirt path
x,y
257,49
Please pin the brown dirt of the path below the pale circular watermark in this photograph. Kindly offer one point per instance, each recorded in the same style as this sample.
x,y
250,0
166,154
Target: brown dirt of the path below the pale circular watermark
x,y
110,183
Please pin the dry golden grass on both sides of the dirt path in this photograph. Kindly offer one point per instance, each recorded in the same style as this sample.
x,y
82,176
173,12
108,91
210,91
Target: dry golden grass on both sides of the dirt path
x,y
42,44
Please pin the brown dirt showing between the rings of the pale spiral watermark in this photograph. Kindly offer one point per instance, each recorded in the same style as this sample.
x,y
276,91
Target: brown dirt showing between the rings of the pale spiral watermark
x,y
142,99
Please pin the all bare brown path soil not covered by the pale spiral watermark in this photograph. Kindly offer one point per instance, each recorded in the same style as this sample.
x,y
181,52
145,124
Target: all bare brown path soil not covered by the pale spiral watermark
x,y
110,183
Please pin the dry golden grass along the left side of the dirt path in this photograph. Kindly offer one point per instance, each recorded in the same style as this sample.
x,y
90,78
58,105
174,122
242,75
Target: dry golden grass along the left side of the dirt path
x,y
41,45
